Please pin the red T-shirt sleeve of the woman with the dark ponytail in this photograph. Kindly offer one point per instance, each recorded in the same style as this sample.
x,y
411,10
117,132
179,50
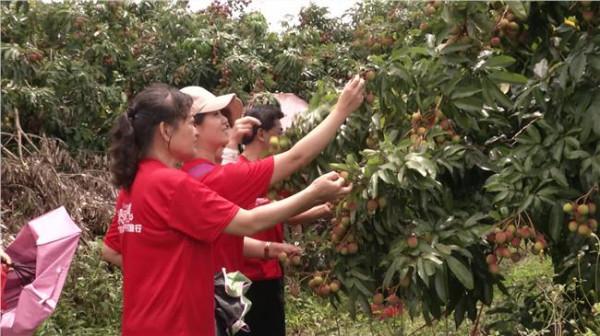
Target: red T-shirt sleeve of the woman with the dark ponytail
x,y
198,211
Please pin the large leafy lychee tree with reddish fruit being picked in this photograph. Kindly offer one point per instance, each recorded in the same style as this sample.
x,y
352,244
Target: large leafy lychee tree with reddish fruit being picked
x,y
484,123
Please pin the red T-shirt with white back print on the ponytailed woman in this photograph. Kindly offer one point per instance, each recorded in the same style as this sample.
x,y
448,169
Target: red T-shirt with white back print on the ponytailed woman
x,y
169,222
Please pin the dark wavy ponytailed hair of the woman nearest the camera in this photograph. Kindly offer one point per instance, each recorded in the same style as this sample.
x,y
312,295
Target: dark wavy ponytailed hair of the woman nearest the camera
x,y
133,131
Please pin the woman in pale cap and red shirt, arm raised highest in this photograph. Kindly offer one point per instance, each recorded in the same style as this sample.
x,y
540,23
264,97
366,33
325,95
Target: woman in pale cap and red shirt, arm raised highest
x,y
243,182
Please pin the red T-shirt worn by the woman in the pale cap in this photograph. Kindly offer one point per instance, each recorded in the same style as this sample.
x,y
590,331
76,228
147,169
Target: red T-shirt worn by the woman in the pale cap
x,y
240,183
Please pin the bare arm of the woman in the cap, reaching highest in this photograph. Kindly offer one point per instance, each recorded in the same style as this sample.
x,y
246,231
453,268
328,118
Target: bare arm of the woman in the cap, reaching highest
x,y
305,150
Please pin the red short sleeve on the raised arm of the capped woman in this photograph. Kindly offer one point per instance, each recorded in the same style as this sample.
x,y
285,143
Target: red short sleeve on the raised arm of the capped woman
x,y
251,178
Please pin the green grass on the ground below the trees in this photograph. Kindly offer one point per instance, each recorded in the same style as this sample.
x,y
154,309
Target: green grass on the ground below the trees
x,y
90,306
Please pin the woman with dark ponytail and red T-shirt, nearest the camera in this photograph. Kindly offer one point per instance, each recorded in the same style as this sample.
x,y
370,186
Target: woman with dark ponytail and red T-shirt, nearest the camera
x,y
168,220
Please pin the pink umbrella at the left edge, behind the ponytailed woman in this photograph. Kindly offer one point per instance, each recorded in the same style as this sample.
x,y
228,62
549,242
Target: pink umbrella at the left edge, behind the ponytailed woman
x,y
41,256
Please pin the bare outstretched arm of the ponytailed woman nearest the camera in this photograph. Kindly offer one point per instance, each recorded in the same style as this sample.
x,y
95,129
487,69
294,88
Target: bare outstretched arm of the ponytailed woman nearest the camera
x,y
325,188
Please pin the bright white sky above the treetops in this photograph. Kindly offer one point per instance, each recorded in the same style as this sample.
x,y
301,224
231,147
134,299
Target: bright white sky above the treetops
x,y
275,11
